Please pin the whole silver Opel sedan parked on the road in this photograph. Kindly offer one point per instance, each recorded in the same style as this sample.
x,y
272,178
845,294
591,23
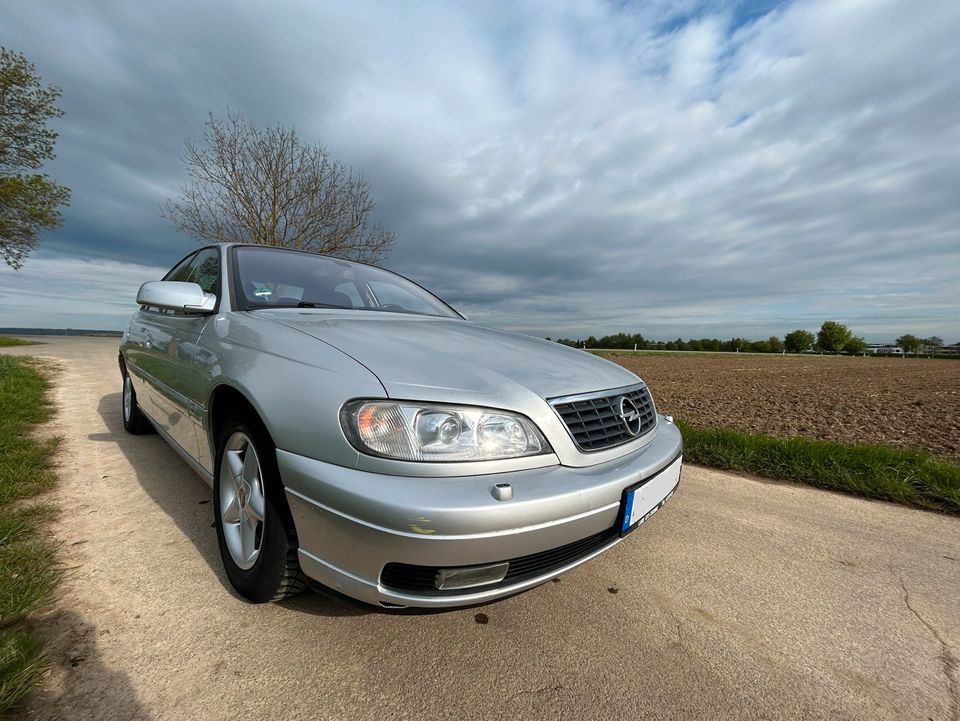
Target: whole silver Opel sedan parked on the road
x,y
361,434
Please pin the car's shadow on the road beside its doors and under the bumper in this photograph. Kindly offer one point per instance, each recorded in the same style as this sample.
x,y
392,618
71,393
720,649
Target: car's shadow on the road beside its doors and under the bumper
x,y
187,500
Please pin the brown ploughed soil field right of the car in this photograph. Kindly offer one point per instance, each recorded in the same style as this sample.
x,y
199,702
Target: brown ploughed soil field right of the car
x,y
903,402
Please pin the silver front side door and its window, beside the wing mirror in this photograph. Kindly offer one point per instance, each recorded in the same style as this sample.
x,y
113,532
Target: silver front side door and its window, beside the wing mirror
x,y
170,341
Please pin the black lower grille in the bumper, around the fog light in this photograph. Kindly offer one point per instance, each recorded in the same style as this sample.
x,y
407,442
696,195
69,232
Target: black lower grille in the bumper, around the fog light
x,y
420,579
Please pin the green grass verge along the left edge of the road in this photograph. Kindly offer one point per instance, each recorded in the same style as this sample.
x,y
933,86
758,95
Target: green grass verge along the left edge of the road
x,y
28,572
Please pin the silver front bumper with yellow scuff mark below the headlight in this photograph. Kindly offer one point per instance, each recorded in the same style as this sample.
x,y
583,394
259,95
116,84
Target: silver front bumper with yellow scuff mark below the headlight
x,y
352,523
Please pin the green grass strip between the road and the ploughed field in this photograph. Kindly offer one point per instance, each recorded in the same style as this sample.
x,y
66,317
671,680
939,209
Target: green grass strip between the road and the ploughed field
x,y
911,477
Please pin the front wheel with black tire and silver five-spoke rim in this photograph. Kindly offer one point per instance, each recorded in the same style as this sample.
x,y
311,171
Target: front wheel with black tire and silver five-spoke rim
x,y
255,531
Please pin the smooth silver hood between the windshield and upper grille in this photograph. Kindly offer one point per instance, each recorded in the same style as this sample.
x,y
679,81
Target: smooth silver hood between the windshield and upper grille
x,y
430,358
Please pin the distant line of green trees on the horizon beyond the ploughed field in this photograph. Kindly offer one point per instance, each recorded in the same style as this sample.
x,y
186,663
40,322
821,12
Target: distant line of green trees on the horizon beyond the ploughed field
x,y
833,337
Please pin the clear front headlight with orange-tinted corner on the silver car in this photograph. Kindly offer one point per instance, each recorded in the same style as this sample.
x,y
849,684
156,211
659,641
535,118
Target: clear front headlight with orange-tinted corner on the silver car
x,y
409,431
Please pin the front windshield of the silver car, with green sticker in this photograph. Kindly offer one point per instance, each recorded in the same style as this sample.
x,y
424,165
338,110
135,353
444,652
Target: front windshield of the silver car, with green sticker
x,y
276,278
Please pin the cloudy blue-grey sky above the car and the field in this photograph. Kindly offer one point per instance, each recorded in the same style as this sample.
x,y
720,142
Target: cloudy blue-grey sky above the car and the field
x,y
676,167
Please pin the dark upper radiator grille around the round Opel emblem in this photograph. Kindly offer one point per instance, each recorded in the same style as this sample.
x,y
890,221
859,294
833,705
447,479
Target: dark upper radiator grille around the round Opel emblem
x,y
595,423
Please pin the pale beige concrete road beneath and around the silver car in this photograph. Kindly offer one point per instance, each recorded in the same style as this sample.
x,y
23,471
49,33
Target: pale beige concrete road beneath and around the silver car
x,y
740,600
